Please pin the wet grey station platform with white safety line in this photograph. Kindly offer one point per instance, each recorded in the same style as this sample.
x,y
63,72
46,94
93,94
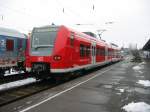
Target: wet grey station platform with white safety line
x,y
106,90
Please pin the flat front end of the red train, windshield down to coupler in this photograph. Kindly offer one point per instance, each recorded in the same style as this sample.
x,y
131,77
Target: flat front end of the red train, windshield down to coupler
x,y
40,49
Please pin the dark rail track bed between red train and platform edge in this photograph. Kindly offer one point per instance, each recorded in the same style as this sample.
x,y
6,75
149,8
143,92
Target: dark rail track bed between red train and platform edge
x,y
16,94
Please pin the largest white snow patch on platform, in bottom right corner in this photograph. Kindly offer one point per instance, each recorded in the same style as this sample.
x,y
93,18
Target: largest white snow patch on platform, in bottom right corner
x,y
137,107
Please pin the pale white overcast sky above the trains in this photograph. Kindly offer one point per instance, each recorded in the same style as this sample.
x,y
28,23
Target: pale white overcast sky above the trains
x,y
131,18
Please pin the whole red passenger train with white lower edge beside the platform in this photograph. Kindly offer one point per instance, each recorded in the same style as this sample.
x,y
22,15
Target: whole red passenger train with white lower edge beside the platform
x,y
59,49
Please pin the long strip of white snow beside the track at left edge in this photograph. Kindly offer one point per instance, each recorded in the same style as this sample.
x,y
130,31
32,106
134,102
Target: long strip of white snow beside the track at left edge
x,y
16,84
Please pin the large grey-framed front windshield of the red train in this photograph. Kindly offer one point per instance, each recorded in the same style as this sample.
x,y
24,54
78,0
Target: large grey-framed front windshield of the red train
x,y
43,40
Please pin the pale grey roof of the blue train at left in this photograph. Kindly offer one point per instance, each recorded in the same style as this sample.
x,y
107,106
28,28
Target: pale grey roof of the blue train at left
x,y
11,32
